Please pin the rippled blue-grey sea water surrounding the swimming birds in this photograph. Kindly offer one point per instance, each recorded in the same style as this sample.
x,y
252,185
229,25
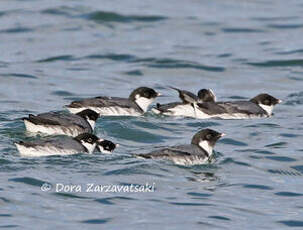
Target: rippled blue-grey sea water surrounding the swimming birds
x,y
53,52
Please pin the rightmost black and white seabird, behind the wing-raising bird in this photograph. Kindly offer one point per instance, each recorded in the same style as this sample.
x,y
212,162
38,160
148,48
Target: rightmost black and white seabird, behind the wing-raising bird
x,y
260,106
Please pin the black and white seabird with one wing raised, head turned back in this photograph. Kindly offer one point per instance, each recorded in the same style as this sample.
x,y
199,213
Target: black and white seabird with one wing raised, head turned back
x,y
188,106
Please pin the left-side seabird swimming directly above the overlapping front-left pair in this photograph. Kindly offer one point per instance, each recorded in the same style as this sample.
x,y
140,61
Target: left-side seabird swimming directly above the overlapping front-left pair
x,y
57,123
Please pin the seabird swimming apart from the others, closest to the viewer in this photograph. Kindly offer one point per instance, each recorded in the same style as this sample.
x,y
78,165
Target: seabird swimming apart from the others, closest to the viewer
x,y
200,151
